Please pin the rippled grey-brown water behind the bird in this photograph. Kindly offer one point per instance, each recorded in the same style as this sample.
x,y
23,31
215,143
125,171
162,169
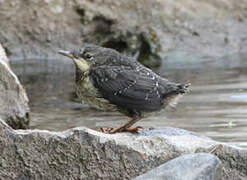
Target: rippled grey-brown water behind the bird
x,y
216,107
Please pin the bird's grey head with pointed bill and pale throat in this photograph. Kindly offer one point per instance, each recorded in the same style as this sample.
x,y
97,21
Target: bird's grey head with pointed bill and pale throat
x,y
88,56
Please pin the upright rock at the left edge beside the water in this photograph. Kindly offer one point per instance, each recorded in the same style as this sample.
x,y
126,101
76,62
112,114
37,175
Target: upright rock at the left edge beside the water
x,y
14,107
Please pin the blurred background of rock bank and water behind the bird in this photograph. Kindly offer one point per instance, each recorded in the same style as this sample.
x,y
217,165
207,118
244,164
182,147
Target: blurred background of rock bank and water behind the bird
x,y
203,42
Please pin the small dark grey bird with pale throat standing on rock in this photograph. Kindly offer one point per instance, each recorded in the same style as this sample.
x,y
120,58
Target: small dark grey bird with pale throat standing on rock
x,y
110,81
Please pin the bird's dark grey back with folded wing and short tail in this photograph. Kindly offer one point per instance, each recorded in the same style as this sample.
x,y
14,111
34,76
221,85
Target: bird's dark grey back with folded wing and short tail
x,y
133,88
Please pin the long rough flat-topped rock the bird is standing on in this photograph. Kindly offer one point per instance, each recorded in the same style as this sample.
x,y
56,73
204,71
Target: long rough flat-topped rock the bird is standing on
x,y
82,153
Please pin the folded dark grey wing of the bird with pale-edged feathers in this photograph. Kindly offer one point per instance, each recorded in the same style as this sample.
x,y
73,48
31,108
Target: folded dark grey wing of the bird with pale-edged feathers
x,y
127,87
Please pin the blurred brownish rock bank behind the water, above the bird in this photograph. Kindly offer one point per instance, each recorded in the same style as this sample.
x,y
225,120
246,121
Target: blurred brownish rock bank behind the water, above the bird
x,y
150,30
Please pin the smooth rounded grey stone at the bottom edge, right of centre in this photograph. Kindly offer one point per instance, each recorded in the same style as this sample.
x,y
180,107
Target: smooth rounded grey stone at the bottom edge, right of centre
x,y
199,166
